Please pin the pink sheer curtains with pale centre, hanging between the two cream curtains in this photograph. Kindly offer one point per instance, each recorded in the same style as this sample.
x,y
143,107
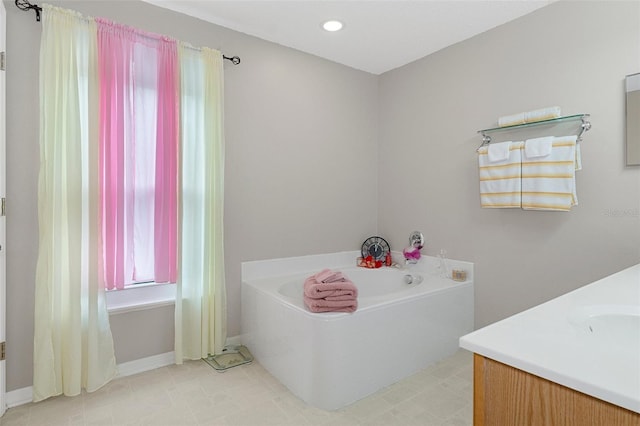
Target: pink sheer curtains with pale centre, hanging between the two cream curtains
x,y
138,82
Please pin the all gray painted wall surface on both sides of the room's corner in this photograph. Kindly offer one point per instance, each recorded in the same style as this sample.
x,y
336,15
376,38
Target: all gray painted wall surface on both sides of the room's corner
x,y
302,146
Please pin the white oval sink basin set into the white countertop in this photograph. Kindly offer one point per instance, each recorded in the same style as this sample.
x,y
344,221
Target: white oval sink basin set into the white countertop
x,y
620,323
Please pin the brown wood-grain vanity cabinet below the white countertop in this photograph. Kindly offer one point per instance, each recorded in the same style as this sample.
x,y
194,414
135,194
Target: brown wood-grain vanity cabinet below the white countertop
x,y
507,396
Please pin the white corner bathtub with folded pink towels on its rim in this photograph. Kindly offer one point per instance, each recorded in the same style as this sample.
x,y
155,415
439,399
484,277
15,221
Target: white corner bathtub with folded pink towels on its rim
x,y
330,360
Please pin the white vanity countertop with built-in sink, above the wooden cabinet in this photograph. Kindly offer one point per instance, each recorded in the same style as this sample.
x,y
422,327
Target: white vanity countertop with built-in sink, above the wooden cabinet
x,y
554,341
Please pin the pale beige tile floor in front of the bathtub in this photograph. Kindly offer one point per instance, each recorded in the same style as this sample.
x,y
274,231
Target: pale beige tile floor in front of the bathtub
x,y
196,394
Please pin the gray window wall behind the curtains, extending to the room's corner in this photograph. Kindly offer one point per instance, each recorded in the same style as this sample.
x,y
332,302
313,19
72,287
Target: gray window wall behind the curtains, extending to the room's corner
x,y
301,137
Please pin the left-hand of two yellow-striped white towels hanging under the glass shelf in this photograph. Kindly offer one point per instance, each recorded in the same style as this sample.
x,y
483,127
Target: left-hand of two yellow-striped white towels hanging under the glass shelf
x,y
500,181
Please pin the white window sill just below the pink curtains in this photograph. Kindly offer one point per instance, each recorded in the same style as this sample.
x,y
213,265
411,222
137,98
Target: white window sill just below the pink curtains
x,y
140,297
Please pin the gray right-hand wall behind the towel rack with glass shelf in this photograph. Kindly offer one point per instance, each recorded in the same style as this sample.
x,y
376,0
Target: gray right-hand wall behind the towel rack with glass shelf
x,y
571,54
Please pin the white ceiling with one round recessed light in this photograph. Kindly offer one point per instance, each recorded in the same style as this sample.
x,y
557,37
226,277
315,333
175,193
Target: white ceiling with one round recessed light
x,y
378,35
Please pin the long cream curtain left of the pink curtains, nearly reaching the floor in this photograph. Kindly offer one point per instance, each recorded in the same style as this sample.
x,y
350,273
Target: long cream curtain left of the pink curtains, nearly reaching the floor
x,y
73,346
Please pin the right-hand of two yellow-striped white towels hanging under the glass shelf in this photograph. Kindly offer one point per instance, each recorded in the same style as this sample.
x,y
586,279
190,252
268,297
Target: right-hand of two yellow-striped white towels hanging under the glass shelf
x,y
548,183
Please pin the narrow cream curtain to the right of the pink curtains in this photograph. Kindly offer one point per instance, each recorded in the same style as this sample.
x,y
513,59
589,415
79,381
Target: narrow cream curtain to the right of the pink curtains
x,y
200,321
